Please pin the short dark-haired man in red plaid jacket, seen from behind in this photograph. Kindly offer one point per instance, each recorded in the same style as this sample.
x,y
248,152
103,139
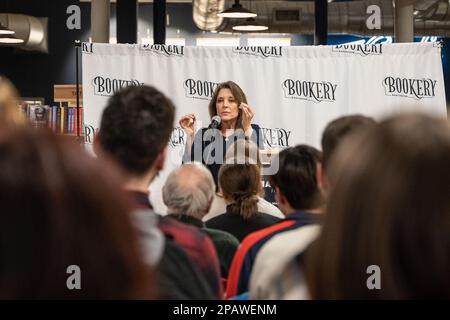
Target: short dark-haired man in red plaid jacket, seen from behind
x,y
134,131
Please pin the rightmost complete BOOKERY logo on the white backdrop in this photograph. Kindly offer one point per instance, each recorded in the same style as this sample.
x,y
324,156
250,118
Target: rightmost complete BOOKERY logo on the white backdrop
x,y
410,88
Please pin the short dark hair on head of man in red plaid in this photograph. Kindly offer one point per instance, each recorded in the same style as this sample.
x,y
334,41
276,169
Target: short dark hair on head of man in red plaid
x,y
136,126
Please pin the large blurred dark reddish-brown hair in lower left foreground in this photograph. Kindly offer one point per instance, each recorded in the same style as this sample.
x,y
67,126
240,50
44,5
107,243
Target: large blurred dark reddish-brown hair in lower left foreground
x,y
60,208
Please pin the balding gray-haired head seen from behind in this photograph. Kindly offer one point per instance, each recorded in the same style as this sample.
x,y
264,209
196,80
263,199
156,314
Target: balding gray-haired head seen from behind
x,y
189,189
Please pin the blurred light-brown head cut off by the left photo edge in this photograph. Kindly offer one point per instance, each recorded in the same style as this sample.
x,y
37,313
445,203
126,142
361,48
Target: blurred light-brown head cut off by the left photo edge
x,y
9,111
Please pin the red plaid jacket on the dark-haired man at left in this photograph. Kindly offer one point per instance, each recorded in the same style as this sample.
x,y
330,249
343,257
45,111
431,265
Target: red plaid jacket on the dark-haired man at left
x,y
198,246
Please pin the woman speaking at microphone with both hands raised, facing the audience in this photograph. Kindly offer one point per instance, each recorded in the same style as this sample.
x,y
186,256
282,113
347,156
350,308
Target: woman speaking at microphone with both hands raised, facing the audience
x,y
231,119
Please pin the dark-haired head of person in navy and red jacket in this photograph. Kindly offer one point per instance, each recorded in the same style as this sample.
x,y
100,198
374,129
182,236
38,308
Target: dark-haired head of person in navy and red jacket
x,y
297,177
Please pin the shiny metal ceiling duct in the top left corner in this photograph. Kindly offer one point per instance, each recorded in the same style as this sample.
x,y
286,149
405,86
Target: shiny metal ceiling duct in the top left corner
x,y
31,29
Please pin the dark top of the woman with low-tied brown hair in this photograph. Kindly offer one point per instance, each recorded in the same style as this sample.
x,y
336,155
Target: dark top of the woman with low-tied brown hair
x,y
233,223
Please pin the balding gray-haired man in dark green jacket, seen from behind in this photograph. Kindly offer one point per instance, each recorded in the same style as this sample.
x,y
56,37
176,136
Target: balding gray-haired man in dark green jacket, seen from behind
x,y
188,194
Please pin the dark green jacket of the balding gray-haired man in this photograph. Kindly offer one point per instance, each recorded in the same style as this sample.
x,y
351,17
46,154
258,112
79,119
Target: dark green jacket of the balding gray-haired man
x,y
224,242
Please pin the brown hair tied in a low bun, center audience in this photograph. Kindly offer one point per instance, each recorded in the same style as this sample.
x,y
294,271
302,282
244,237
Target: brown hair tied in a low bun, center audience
x,y
241,183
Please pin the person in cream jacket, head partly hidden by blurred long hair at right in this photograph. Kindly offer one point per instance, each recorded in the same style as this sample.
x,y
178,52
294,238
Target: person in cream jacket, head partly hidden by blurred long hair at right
x,y
282,278
